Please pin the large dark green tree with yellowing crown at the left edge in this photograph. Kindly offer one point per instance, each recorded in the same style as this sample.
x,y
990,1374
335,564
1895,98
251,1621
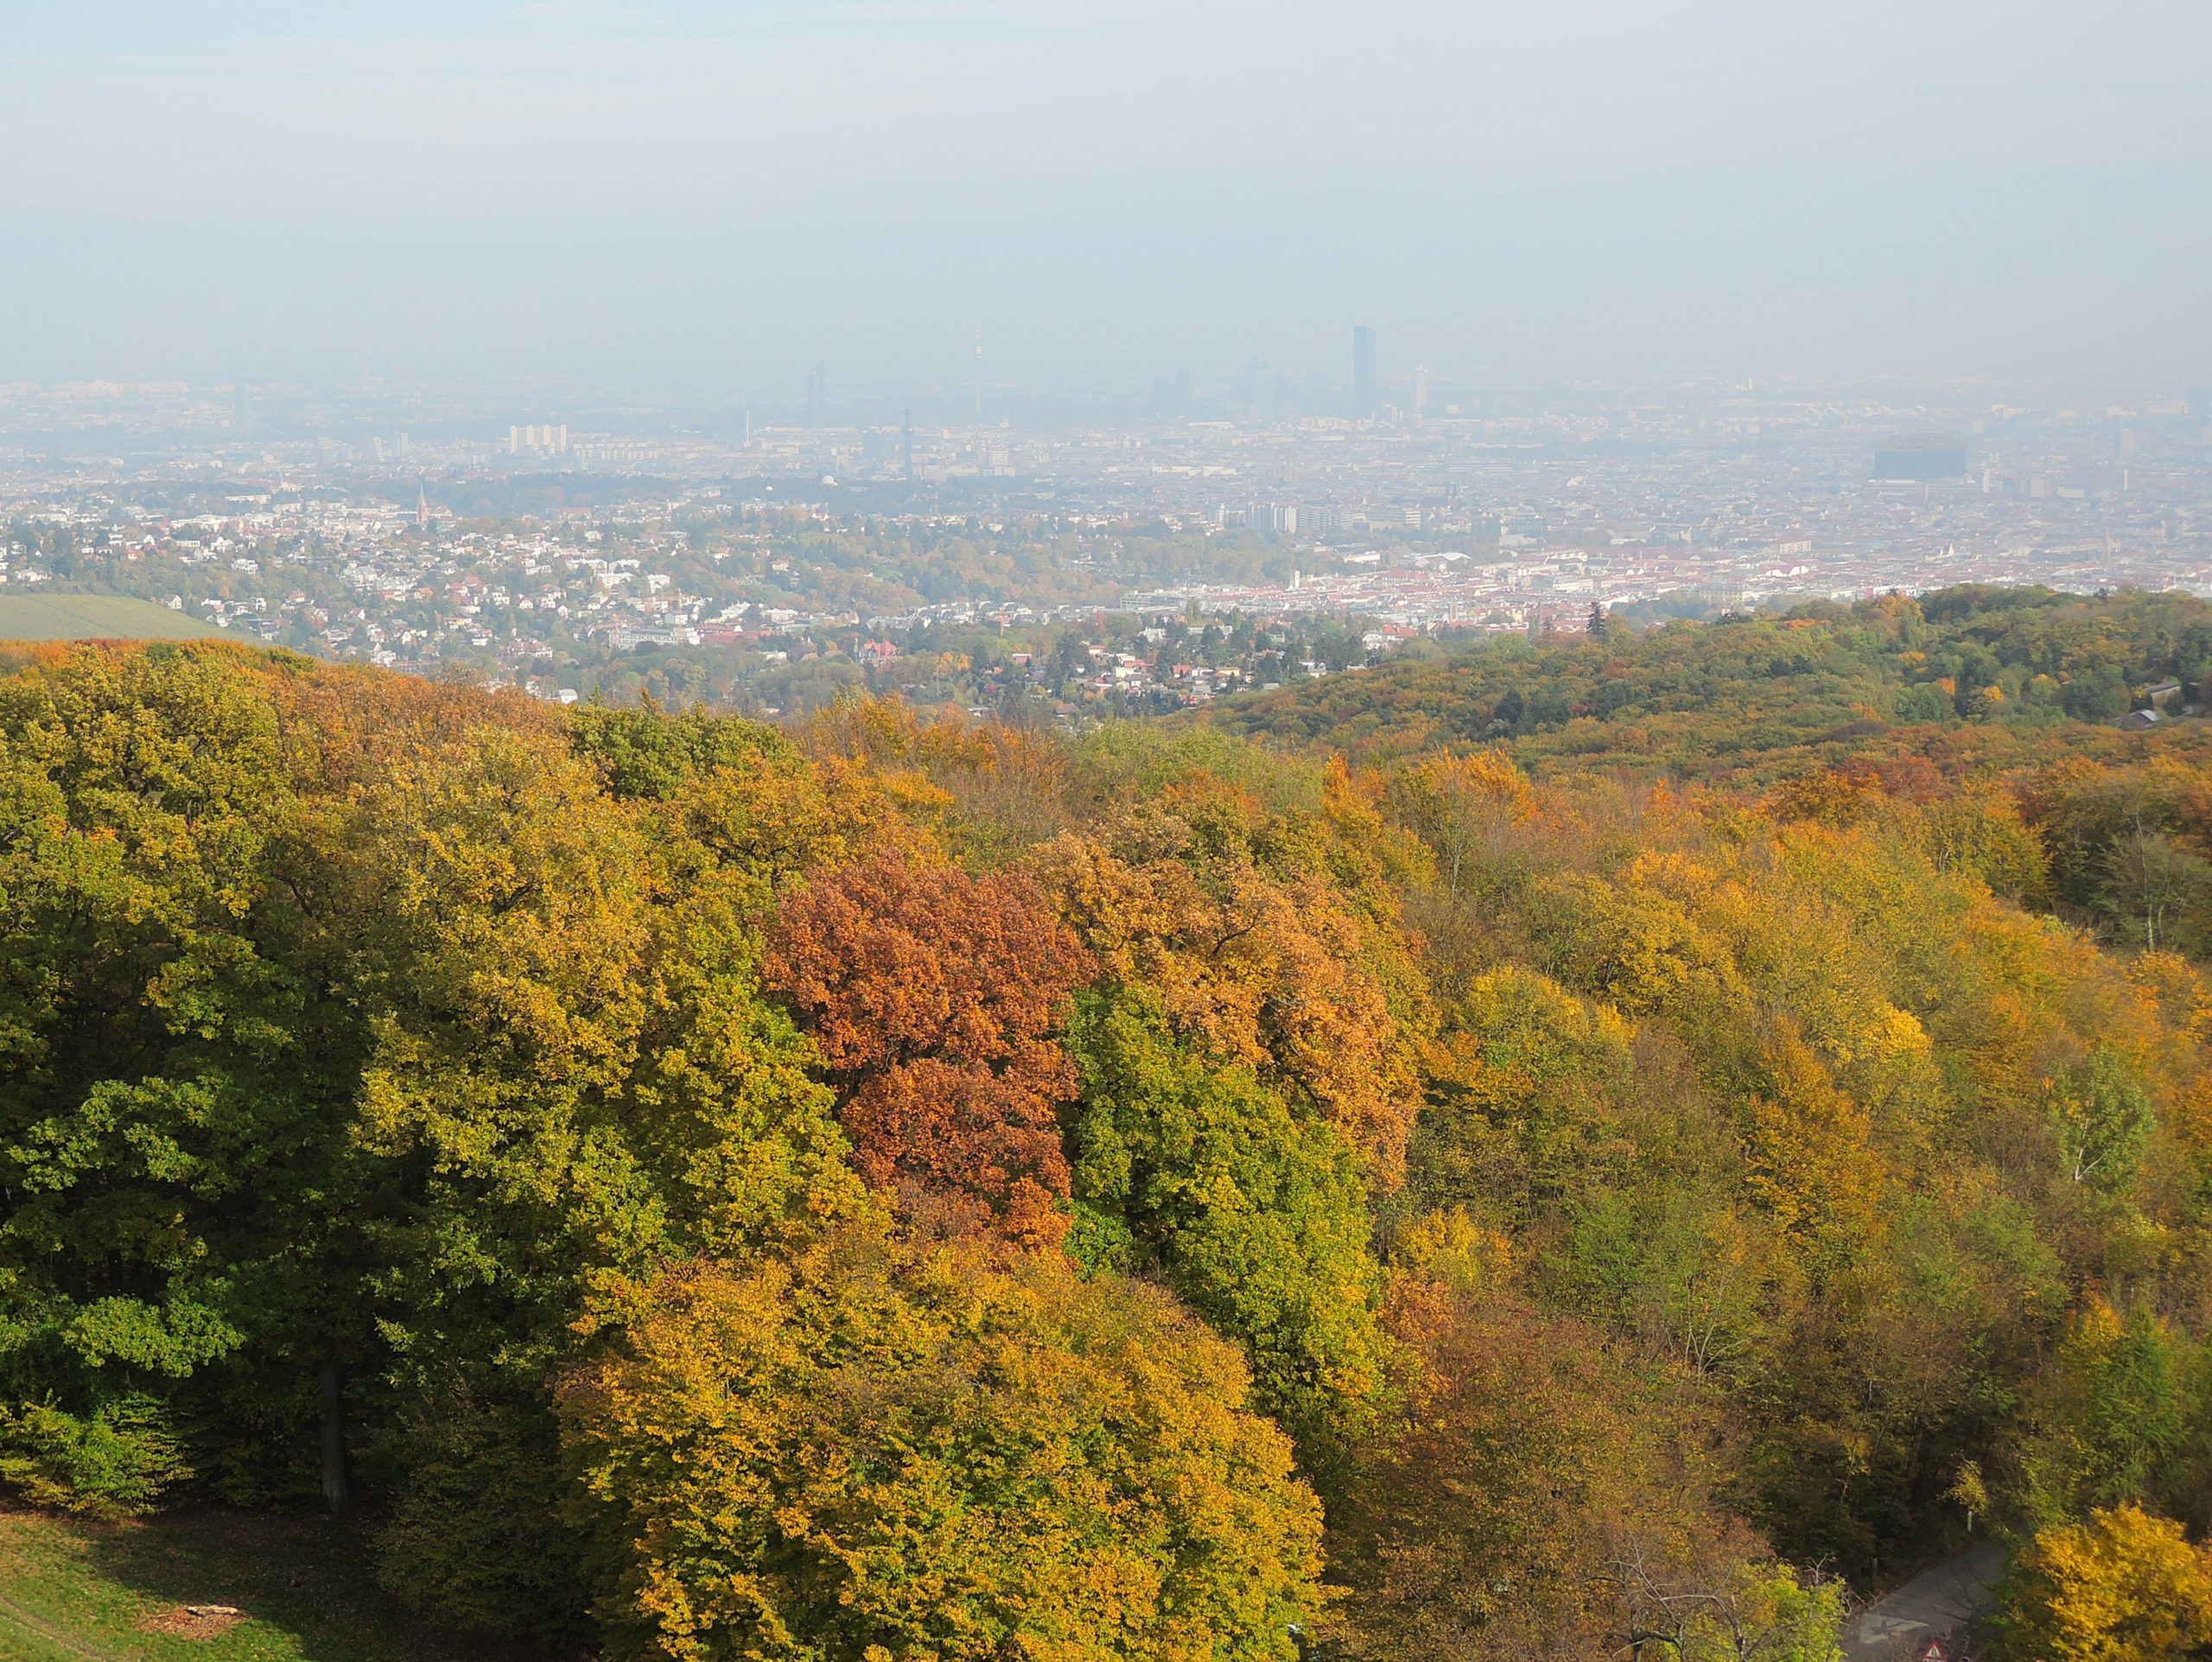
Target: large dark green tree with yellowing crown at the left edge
x,y
182,1219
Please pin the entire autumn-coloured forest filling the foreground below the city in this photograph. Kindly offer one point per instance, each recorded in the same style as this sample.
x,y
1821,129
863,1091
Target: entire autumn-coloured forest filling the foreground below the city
x,y
1592,1148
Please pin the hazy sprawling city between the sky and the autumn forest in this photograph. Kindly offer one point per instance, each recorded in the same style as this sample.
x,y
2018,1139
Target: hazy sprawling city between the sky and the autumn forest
x,y
1209,547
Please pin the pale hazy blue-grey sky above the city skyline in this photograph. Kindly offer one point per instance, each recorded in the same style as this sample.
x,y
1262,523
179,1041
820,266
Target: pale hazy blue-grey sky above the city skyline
x,y
1116,189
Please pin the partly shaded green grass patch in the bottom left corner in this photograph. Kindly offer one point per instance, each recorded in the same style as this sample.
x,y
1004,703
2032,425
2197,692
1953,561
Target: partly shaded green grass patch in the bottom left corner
x,y
83,1592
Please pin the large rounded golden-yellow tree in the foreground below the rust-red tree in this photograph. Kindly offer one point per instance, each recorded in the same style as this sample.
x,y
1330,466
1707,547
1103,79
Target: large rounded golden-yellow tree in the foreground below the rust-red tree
x,y
899,1451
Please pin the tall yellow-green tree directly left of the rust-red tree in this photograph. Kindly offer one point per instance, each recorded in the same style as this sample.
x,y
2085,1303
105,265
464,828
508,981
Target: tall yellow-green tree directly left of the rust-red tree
x,y
576,1080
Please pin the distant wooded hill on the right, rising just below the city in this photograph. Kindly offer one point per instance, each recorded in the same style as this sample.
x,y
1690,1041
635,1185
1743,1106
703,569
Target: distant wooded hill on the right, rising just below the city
x,y
1968,677
